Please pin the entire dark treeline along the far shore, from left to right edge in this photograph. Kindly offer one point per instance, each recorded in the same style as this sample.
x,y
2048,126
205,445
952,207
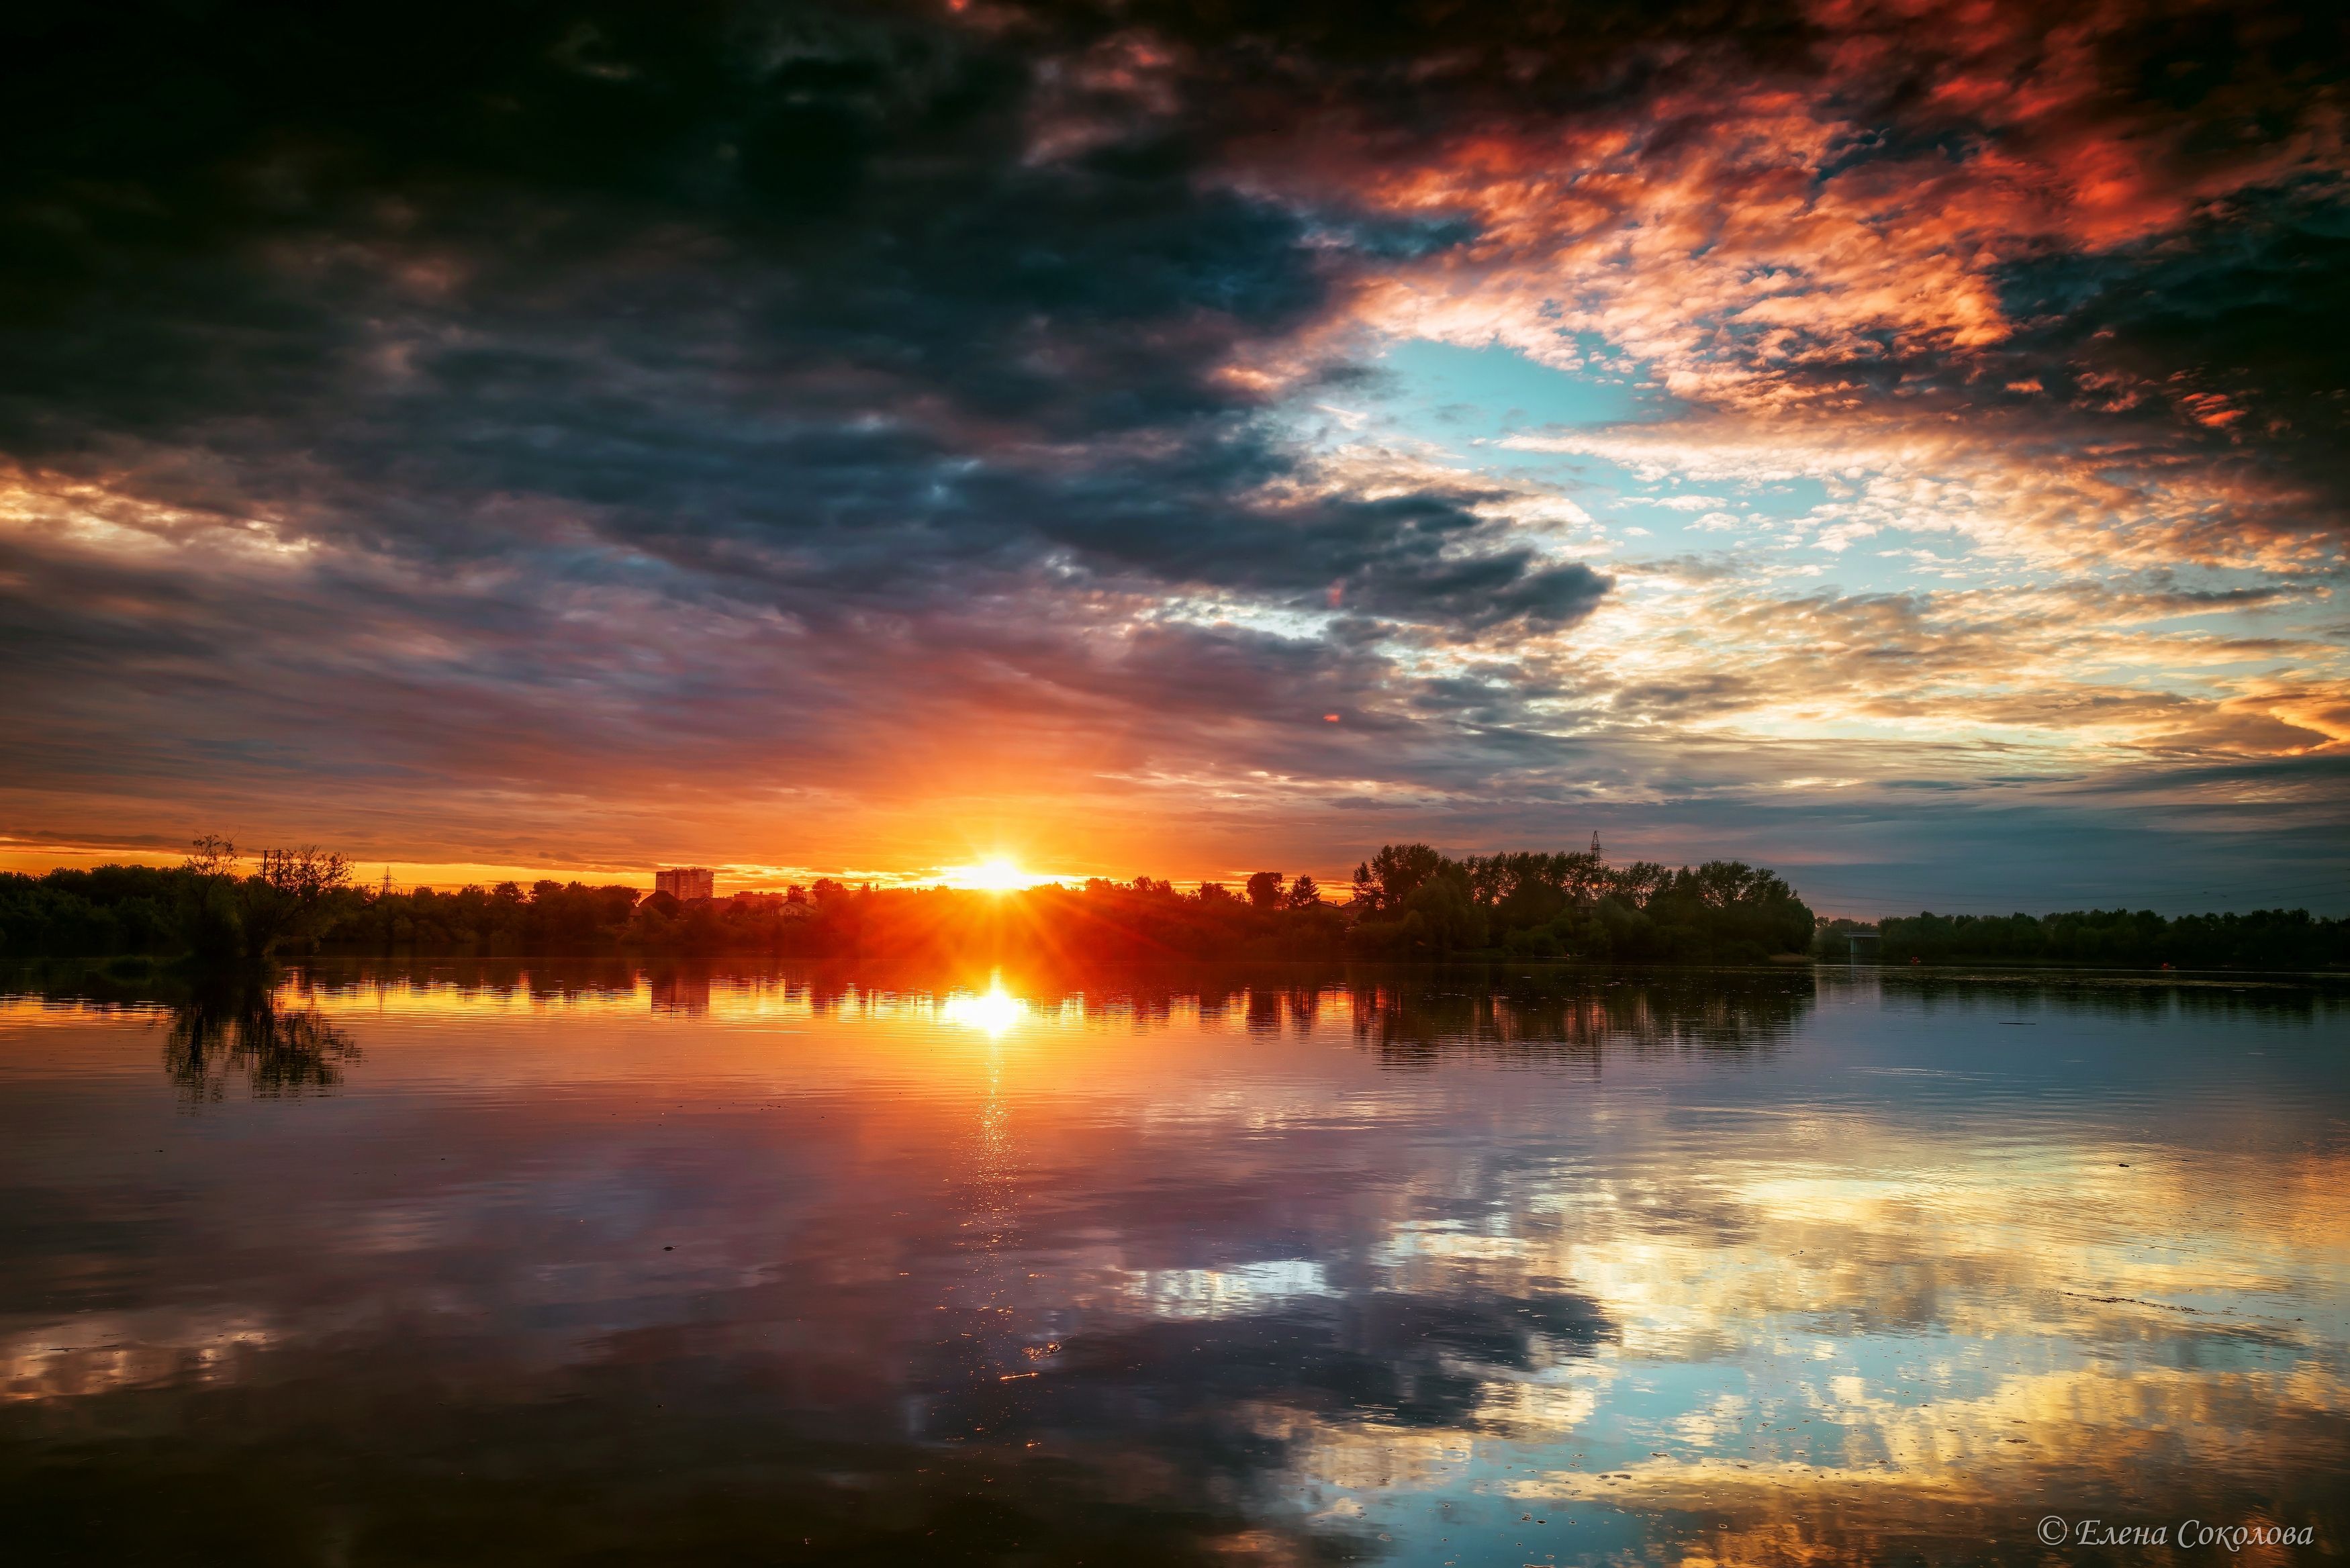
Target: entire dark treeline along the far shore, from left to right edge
x,y
1409,902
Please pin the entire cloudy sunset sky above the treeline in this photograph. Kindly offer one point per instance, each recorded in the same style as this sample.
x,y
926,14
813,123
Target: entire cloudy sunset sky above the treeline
x,y
1902,445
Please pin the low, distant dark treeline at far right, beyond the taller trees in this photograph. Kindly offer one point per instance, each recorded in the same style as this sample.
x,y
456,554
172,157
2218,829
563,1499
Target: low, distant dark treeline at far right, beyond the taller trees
x,y
2109,939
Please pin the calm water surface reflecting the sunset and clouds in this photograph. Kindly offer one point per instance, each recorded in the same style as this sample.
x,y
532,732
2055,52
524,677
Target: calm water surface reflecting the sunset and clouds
x,y
584,1266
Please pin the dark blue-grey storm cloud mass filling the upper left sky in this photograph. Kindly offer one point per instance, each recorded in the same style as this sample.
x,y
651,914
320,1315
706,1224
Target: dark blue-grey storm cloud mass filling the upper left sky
x,y
781,295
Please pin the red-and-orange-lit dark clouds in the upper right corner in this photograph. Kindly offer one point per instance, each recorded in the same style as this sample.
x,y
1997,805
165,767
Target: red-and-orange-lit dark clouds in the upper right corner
x,y
2083,227
